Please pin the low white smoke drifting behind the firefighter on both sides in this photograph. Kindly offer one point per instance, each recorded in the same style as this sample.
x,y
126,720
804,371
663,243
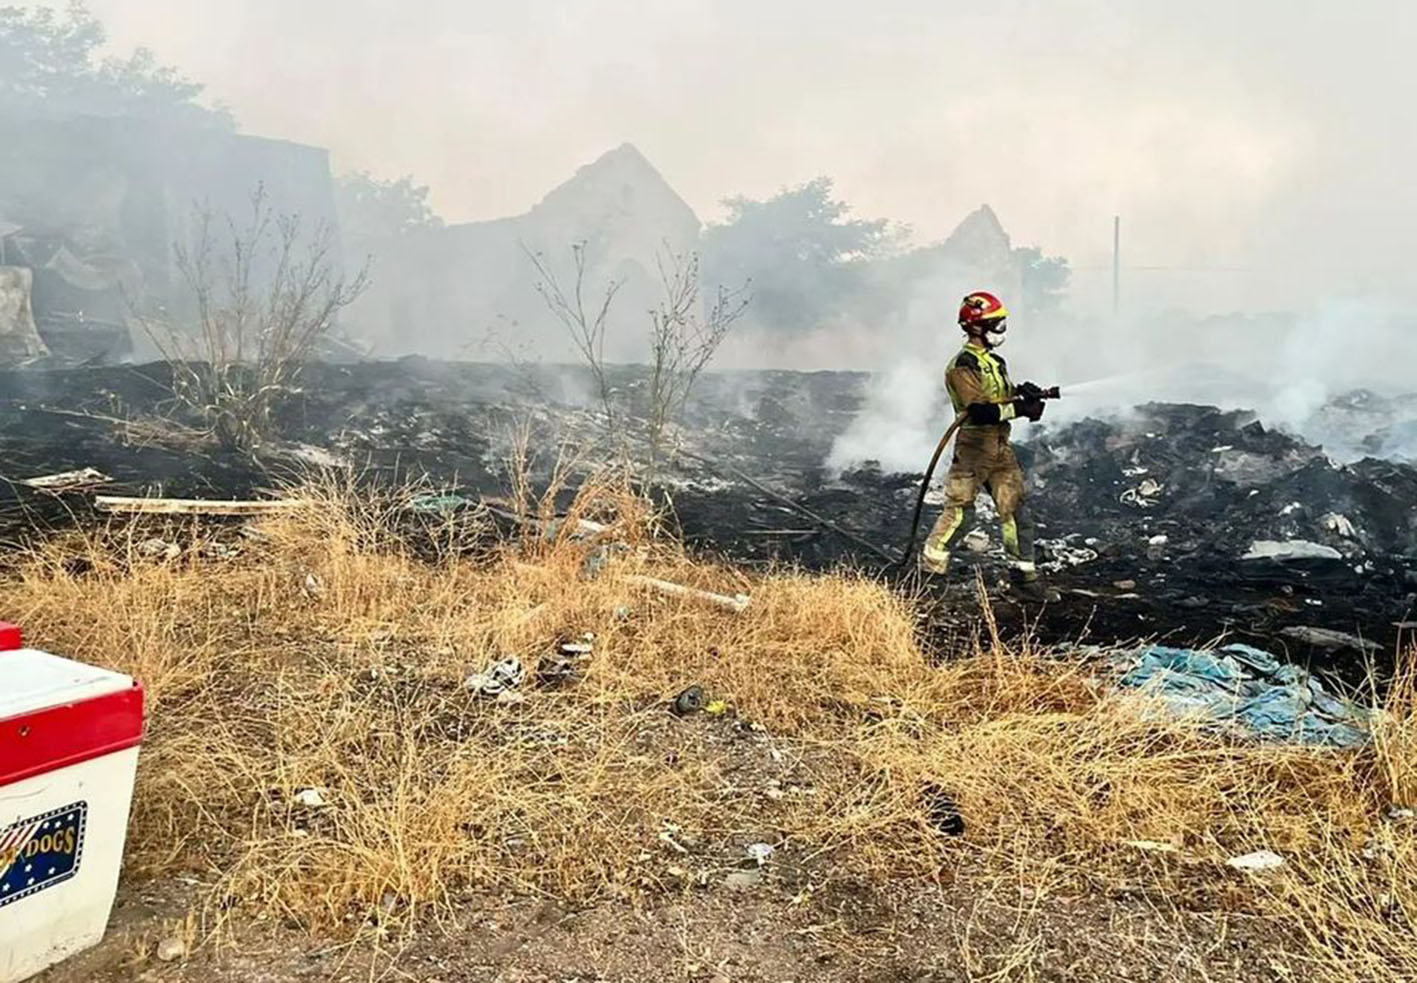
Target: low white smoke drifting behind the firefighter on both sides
x,y
1286,369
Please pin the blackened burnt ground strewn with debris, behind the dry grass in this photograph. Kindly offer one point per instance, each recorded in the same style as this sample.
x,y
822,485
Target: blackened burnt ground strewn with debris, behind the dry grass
x,y
1180,523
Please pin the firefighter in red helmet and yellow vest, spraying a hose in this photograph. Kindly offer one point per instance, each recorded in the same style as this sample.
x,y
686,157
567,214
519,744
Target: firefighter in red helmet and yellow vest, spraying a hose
x,y
981,393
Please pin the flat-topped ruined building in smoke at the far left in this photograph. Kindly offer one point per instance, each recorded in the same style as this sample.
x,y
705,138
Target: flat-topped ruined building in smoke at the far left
x,y
101,202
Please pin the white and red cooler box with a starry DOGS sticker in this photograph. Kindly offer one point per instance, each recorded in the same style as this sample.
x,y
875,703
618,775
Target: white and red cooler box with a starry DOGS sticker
x,y
69,753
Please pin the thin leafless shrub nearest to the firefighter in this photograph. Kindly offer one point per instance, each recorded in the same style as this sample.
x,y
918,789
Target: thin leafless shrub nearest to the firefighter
x,y
685,335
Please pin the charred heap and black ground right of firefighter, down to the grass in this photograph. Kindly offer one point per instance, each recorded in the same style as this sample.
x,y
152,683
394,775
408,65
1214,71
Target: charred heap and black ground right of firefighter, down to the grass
x,y
1235,528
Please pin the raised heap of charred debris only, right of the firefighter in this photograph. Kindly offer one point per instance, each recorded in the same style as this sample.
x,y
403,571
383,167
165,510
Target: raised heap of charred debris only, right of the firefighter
x,y
1222,484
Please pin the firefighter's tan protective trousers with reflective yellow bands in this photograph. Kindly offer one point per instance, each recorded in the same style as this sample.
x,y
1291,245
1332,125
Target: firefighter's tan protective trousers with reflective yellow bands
x,y
983,460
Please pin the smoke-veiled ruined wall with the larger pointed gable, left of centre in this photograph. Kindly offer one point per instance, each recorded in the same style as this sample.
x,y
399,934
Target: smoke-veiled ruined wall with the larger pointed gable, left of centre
x,y
447,291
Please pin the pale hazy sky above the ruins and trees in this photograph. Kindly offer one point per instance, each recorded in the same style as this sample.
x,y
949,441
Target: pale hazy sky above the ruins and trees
x,y
1268,135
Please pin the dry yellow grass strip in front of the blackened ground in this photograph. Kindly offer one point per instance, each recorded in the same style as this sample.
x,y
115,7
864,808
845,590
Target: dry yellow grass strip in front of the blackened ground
x,y
327,655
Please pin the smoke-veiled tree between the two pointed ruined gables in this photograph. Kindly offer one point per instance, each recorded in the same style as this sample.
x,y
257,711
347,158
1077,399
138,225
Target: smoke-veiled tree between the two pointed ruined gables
x,y
800,250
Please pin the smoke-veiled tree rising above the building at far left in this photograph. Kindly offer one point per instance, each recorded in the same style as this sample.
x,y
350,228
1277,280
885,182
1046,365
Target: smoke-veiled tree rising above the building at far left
x,y
50,67
